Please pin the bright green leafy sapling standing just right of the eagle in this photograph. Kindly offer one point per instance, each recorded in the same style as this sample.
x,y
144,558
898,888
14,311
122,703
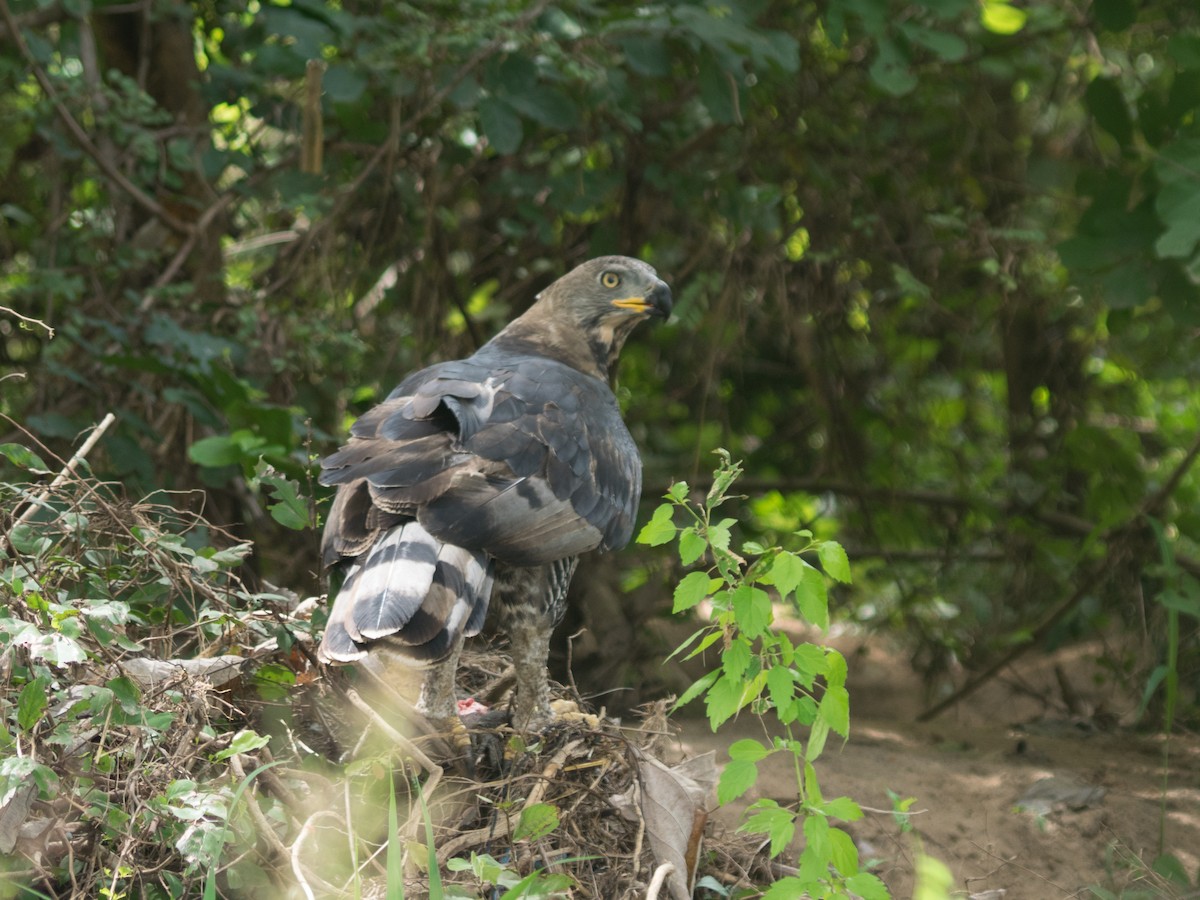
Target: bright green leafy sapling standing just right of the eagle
x,y
803,687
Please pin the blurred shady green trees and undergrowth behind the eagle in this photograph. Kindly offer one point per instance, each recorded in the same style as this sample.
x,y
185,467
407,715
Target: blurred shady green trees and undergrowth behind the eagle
x,y
937,267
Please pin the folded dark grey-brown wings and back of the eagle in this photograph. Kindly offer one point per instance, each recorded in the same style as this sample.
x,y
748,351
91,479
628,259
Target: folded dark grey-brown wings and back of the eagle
x,y
523,458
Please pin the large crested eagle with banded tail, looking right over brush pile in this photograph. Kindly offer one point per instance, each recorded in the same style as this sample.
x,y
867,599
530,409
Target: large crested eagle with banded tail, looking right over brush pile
x,y
479,482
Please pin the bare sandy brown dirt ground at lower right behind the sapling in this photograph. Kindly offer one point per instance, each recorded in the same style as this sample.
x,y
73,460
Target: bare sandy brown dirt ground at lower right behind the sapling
x,y
970,769
